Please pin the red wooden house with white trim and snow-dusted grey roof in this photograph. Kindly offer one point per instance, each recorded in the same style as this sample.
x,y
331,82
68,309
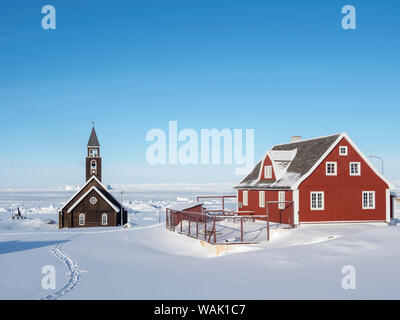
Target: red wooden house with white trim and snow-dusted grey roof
x,y
321,180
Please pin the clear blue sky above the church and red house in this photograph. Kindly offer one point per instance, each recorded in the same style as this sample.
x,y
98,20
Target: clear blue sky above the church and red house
x,y
282,68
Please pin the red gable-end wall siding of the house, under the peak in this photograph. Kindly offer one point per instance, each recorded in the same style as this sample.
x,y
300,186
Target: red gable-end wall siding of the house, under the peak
x,y
343,193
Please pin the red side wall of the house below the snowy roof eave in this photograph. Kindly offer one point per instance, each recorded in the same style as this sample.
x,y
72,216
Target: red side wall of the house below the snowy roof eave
x,y
276,215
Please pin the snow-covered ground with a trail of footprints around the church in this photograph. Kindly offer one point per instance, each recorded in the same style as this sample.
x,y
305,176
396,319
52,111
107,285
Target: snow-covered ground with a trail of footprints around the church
x,y
145,261
